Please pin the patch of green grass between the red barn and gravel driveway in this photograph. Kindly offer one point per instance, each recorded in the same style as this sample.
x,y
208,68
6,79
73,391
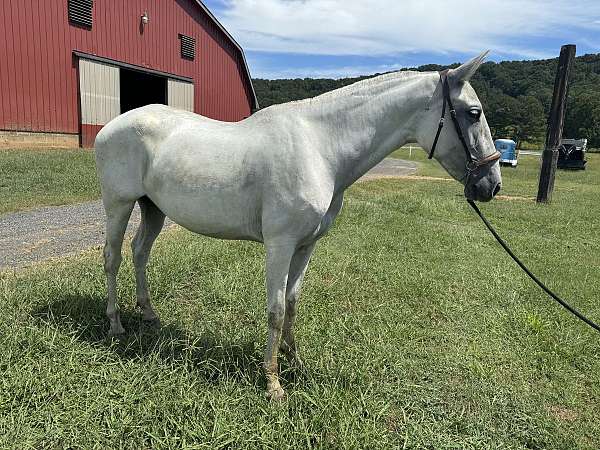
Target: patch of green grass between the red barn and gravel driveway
x,y
32,178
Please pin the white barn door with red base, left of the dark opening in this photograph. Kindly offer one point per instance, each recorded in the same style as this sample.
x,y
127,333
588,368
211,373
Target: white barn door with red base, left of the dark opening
x,y
99,90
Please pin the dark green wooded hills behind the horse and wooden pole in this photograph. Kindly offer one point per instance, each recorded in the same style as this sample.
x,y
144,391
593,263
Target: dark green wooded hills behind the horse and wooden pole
x,y
516,96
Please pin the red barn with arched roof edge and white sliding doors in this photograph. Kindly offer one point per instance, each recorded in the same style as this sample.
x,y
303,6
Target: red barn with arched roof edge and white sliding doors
x,y
67,67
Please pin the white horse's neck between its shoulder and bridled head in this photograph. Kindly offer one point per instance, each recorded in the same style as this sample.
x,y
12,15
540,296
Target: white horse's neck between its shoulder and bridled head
x,y
363,123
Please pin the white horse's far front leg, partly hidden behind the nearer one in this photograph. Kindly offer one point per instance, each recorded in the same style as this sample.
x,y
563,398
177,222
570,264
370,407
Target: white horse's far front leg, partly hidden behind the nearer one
x,y
298,268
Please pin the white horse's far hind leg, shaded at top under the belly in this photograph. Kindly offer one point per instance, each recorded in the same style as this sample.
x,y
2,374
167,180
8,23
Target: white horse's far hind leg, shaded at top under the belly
x,y
150,226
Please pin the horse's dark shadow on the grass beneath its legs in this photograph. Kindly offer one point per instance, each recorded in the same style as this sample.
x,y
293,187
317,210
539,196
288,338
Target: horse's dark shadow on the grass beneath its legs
x,y
211,355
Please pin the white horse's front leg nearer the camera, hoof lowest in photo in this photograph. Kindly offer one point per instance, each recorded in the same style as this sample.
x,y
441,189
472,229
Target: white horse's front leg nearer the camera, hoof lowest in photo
x,y
279,256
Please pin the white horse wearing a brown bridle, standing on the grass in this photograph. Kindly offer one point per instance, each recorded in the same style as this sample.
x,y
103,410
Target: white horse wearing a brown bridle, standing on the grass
x,y
277,177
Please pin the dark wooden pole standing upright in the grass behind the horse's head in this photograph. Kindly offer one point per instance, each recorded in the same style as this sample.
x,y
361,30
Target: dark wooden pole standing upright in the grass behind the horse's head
x,y
555,124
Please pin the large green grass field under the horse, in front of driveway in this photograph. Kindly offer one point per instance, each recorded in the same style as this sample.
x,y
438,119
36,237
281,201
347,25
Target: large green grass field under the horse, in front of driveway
x,y
416,330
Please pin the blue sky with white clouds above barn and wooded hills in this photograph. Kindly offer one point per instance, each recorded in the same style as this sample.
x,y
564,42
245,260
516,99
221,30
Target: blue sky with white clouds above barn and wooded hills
x,y
338,38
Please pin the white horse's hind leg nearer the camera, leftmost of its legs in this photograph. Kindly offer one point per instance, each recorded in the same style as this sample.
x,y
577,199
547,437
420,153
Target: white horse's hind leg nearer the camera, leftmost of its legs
x,y
117,216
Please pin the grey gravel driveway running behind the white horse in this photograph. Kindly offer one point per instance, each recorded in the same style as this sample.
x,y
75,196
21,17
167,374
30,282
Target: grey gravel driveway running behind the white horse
x,y
39,234
